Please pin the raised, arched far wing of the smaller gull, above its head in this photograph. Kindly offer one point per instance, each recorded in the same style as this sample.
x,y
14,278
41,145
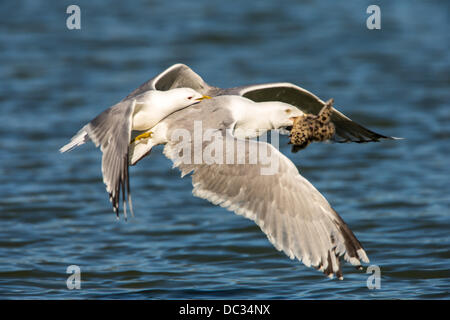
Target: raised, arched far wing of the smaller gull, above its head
x,y
176,76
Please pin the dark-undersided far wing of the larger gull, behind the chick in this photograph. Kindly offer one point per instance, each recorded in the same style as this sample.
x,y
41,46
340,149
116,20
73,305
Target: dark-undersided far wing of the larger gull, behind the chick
x,y
346,129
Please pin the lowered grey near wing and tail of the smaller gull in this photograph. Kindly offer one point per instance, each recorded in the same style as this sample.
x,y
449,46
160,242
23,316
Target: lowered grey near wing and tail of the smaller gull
x,y
111,130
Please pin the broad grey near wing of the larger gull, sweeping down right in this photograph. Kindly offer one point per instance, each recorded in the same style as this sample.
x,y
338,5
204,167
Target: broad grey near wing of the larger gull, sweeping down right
x,y
296,218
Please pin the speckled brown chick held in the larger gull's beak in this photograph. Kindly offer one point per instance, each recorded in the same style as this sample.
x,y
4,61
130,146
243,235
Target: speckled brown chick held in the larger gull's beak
x,y
309,128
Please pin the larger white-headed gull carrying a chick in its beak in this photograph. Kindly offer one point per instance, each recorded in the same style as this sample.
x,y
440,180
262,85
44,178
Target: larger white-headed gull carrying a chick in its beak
x,y
293,214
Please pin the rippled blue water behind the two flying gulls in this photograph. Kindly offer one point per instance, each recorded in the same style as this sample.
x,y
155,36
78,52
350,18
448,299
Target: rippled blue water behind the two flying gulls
x,y
54,208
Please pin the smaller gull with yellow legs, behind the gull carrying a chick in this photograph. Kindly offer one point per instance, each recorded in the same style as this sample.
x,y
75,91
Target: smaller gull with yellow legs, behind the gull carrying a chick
x,y
111,130
